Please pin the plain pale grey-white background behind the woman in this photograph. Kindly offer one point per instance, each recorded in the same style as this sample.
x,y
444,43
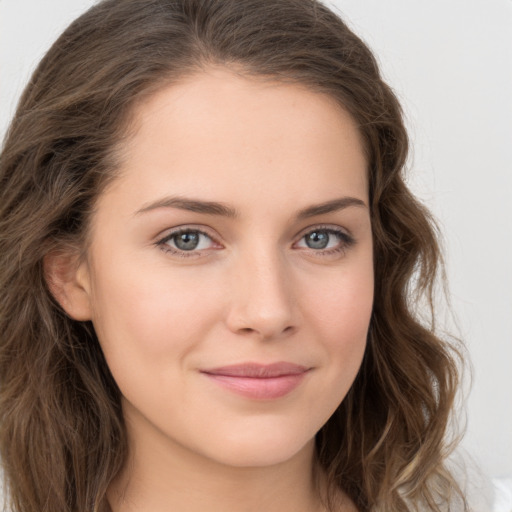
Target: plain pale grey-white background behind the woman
x,y
450,63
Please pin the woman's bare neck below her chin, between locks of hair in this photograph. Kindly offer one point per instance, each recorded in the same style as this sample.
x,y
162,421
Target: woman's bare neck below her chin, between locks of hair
x,y
162,476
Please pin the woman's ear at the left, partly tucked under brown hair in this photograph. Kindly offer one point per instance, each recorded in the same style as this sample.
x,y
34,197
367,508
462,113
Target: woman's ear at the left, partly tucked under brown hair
x,y
69,282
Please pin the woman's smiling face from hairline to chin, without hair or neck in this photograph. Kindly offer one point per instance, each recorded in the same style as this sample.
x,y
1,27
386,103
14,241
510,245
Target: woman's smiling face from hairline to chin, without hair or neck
x,y
229,276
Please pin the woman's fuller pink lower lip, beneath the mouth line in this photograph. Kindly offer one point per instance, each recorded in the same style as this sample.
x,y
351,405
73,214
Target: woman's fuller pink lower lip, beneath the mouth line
x,y
259,388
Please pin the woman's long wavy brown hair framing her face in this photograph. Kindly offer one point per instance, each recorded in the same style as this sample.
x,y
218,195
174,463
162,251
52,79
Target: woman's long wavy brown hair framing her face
x,y
62,437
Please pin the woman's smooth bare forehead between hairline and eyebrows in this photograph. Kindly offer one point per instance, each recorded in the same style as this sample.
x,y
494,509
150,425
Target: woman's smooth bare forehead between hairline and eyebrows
x,y
218,130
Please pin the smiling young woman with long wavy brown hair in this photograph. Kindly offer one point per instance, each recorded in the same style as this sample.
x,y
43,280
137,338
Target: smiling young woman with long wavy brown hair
x,y
210,266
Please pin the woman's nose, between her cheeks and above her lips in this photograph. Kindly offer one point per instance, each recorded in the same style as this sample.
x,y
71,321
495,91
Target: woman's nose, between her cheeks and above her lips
x,y
262,302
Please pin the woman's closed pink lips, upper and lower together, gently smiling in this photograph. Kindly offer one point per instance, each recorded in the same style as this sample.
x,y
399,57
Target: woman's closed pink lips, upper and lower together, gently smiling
x,y
259,381
